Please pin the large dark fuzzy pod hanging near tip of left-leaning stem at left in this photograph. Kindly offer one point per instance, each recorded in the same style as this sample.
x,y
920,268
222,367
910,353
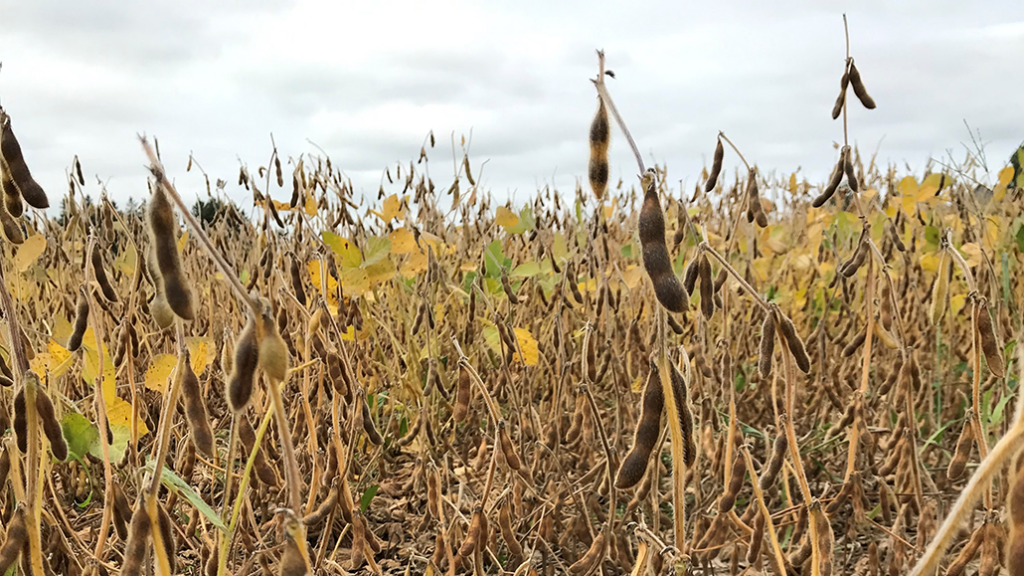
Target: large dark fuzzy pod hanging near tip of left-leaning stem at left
x,y
163,233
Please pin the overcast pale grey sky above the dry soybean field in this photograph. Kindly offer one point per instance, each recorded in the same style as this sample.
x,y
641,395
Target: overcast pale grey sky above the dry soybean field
x,y
368,80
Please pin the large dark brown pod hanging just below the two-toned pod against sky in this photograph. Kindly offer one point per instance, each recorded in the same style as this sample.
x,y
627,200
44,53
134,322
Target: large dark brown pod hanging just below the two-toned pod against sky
x,y
656,254
